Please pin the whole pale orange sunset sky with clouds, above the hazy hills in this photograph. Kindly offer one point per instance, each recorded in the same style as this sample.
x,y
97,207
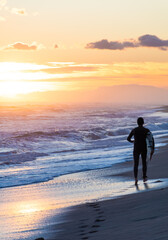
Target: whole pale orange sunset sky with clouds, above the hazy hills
x,y
72,45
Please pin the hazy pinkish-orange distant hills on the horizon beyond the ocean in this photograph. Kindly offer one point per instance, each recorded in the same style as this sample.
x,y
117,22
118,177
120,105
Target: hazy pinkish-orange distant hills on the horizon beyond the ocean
x,y
115,94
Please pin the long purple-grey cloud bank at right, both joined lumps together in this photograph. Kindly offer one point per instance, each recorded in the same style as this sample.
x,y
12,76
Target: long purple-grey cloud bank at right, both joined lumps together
x,y
143,41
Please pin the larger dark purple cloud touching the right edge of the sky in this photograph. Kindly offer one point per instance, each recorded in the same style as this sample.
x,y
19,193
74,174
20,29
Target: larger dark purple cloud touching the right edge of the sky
x,y
153,41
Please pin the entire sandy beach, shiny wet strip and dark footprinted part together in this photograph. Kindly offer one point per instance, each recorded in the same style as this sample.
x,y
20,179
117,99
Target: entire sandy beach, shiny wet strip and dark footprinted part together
x,y
82,205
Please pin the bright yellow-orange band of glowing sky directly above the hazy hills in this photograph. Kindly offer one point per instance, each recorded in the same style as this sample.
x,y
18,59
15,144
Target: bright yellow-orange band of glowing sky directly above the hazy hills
x,y
24,78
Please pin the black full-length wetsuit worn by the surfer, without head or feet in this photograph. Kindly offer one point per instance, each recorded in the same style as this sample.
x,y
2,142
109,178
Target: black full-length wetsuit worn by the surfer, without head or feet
x,y
140,148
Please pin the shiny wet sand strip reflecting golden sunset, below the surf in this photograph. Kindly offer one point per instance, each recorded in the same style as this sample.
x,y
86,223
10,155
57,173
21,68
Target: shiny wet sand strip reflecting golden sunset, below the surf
x,y
28,210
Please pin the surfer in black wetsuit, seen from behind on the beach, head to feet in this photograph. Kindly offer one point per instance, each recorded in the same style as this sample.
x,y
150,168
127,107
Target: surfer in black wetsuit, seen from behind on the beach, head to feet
x,y
140,148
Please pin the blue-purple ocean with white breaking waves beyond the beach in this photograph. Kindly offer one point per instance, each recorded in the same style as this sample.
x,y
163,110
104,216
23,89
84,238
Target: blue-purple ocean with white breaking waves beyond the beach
x,y
40,143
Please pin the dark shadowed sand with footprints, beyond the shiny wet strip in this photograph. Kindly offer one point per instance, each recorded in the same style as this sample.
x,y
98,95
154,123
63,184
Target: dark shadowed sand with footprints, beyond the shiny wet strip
x,y
136,216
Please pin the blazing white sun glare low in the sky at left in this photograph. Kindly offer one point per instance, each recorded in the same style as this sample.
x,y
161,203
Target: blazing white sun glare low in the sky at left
x,y
24,78
